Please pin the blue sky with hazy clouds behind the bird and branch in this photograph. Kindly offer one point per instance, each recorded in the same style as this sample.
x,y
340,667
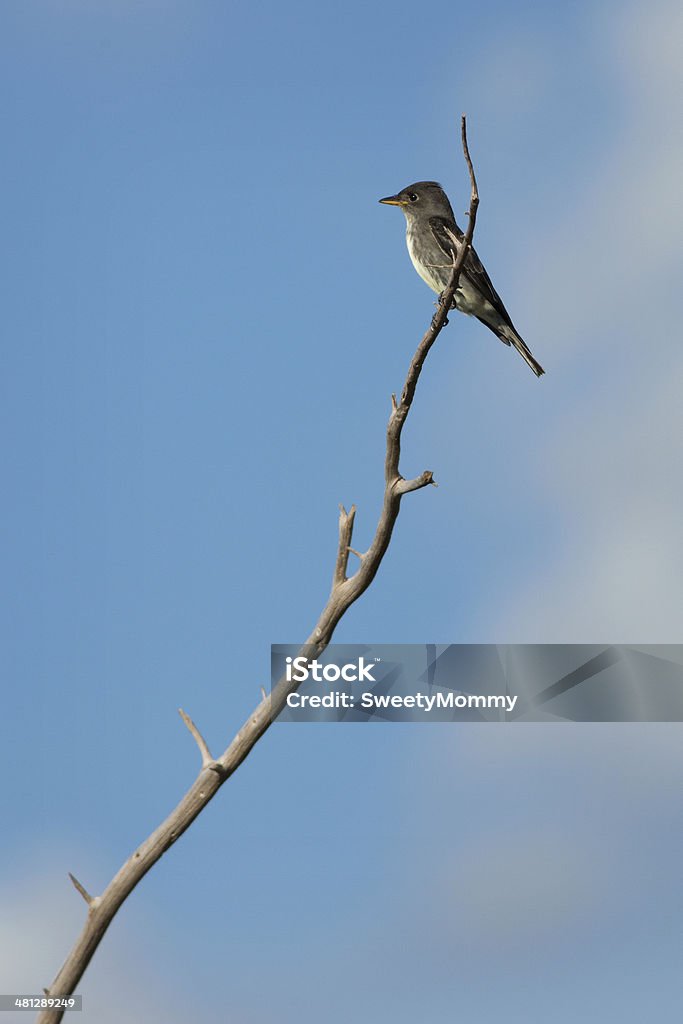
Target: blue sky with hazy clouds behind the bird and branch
x,y
205,313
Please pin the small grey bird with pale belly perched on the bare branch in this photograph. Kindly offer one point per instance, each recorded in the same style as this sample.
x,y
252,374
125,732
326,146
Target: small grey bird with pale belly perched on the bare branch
x,y
434,240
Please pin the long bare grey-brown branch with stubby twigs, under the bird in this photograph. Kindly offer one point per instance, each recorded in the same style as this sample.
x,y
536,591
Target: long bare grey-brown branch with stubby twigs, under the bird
x,y
345,592
